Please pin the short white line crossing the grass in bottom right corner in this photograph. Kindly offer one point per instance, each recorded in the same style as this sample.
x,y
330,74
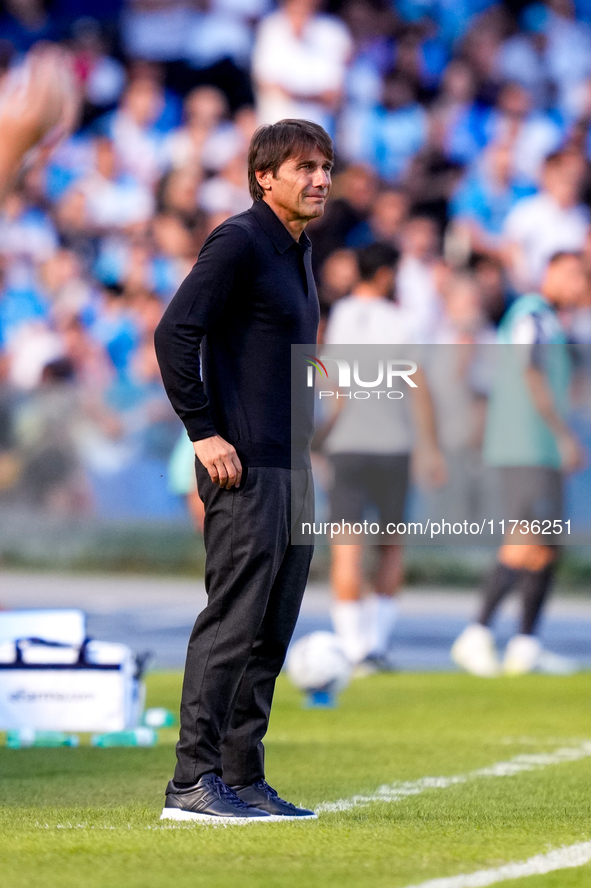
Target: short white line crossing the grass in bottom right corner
x,y
567,857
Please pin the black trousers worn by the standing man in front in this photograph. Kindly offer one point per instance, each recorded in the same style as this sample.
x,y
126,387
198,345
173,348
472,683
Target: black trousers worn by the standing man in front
x,y
255,581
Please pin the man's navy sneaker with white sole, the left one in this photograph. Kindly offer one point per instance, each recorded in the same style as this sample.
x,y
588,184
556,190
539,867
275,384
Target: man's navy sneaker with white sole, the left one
x,y
210,800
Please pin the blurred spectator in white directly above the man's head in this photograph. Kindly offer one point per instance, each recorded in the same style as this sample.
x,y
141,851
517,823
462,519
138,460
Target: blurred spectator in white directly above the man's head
x,y
299,63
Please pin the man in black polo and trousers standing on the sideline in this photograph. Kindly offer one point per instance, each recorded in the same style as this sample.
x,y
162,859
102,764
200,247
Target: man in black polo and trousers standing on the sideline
x,y
250,296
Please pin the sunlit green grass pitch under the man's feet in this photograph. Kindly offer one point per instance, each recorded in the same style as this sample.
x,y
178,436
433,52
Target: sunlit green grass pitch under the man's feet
x,y
88,818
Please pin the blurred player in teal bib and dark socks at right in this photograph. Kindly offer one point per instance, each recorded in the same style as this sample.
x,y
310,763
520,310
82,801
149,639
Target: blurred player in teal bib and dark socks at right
x,y
527,437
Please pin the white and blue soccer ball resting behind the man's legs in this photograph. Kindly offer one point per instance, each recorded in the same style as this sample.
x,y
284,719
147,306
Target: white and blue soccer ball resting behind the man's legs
x,y
317,662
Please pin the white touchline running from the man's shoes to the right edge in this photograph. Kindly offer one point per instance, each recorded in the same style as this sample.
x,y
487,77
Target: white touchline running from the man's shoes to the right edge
x,y
395,792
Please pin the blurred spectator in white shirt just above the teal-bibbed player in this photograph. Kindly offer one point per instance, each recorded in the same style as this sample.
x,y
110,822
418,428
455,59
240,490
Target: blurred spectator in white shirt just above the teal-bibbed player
x,y
553,220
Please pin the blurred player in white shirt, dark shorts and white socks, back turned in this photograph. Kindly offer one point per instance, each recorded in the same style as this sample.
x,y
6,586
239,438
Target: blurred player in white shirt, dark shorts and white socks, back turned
x,y
370,447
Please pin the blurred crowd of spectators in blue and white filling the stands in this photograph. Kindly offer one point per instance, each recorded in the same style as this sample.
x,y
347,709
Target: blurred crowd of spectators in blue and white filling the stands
x,y
463,138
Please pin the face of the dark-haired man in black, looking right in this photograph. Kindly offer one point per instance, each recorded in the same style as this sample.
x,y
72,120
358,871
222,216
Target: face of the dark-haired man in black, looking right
x,y
300,187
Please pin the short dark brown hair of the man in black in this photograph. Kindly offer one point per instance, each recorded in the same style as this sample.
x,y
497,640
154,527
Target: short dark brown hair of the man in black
x,y
275,143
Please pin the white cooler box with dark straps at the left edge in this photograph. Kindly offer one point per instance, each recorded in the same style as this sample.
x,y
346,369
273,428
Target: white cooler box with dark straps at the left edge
x,y
52,678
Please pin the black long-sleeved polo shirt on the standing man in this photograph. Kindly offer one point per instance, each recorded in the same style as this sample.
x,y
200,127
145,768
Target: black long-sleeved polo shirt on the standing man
x,y
248,298
